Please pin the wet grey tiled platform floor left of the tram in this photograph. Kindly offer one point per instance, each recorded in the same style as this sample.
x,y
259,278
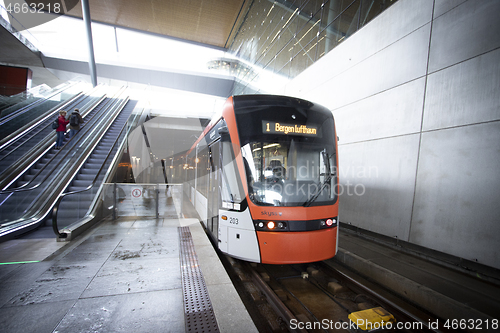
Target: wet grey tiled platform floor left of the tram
x,y
126,275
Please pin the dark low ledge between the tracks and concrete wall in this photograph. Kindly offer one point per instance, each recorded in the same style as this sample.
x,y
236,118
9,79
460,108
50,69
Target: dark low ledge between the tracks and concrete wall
x,y
447,287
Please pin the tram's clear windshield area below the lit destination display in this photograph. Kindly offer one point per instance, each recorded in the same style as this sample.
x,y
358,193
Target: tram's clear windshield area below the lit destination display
x,y
289,173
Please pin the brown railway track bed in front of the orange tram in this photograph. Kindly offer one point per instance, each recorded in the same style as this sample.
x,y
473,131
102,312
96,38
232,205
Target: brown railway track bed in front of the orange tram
x,y
319,297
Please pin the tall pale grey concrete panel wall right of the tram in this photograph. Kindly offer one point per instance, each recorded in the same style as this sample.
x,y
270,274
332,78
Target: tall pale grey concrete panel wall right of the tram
x,y
416,98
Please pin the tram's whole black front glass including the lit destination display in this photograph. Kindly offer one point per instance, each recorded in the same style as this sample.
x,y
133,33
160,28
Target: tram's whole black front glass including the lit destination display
x,y
288,150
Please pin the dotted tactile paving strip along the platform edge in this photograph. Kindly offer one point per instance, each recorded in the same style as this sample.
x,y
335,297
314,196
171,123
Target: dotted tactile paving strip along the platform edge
x,y
198,309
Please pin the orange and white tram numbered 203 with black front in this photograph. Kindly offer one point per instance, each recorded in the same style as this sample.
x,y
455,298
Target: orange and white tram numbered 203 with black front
x,y
265,180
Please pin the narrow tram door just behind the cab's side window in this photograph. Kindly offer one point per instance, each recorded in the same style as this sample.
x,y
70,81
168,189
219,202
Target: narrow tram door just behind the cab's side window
x,y
214,189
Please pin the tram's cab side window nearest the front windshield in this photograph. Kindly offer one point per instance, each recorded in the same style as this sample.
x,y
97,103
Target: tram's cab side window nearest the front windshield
x,y
232,189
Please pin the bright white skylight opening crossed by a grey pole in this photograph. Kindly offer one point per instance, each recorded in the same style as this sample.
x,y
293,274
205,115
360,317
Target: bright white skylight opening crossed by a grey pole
x,y
65,37
